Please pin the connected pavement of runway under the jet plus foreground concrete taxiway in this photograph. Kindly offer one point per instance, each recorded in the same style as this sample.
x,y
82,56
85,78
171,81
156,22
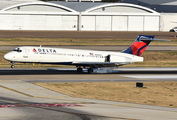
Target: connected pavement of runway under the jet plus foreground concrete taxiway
x,y
19,99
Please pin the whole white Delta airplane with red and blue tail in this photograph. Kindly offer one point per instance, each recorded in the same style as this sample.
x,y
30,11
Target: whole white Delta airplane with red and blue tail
x,y
90,59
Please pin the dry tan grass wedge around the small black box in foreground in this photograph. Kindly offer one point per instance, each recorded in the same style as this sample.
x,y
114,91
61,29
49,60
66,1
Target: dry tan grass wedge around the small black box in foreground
x,y
153,93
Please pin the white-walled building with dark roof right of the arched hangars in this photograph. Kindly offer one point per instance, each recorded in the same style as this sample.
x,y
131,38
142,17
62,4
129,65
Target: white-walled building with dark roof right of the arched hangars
x,y
166,8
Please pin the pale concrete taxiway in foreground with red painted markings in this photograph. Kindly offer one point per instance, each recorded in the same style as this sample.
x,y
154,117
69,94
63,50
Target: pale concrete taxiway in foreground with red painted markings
x,y
22,93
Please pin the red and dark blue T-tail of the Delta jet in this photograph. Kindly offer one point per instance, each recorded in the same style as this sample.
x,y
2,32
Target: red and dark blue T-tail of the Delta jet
x,y
140,44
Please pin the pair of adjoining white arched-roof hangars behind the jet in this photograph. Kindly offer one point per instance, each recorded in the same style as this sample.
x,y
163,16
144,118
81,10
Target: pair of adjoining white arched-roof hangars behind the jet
x,y
77,16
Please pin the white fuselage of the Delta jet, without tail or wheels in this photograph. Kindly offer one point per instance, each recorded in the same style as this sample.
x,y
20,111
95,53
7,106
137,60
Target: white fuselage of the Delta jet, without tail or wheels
x,y
29,54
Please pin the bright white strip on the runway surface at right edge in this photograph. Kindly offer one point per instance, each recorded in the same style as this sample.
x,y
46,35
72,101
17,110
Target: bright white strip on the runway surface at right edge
x,y
151,76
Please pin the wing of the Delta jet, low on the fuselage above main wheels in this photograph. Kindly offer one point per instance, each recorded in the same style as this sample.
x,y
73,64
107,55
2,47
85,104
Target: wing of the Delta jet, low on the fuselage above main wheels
x,y
99,64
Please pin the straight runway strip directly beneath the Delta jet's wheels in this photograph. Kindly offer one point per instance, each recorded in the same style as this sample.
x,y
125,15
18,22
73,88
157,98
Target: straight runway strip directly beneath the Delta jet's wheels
x,y
100,75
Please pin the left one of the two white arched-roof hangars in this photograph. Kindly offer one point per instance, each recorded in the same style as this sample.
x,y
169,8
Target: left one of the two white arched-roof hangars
x,y
36,15
